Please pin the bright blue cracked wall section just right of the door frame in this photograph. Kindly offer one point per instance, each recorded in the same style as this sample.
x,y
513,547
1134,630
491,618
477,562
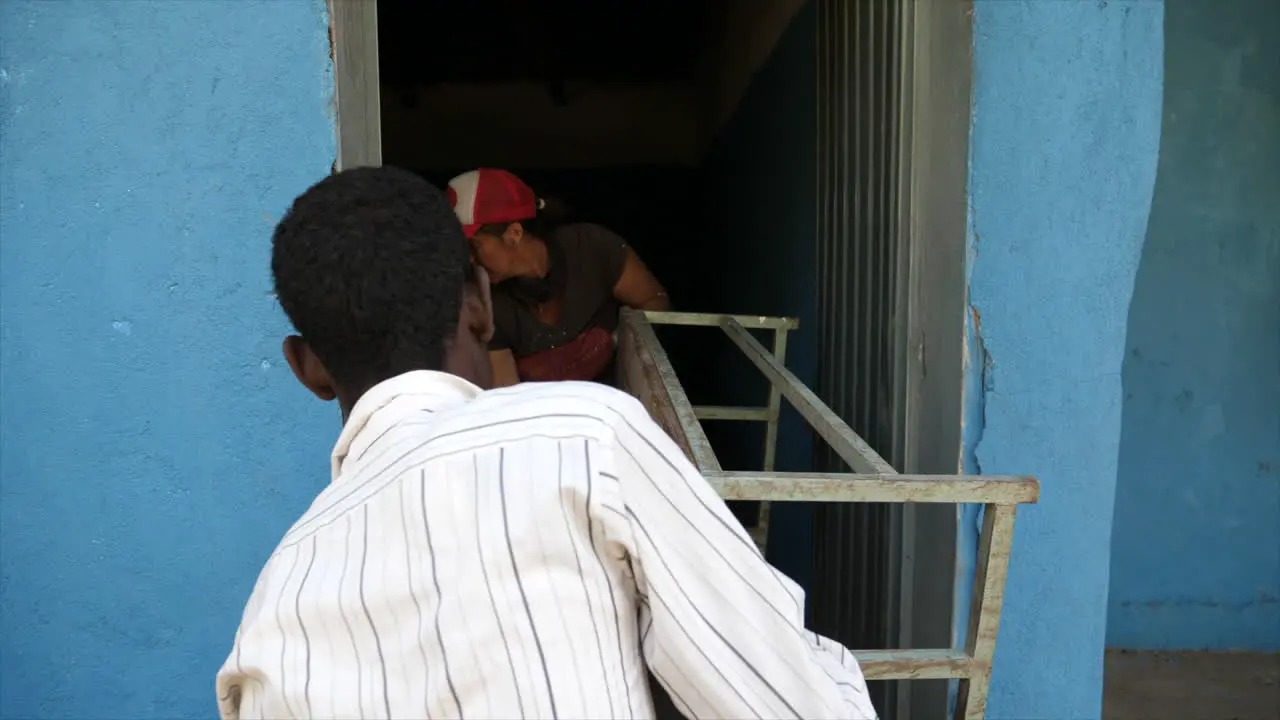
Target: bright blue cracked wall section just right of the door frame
x,y
1066,134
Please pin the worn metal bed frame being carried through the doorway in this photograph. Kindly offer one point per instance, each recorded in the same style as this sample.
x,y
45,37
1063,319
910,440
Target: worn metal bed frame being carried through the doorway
x,y
646,372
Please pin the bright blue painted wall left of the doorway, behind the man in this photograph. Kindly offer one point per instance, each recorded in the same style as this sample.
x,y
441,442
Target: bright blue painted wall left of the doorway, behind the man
x,y
153,444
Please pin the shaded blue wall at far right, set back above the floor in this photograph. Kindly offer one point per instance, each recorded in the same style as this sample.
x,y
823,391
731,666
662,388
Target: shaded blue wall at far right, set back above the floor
x,y
1196,546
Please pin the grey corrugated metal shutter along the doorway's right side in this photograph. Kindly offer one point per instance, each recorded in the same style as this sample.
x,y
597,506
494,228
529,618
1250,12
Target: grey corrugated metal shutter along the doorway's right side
x,y
862,277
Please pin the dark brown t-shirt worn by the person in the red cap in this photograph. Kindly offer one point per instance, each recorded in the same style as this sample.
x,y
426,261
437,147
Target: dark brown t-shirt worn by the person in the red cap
x,y
587,263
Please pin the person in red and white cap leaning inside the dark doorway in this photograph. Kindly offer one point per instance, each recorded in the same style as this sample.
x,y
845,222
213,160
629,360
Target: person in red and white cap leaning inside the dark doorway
x,y
557,289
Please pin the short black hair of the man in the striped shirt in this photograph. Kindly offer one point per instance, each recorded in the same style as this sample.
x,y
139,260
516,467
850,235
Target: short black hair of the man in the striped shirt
x,y
371,267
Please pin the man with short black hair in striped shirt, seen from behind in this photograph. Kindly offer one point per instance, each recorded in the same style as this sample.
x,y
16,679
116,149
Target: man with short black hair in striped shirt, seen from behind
x,y
522,553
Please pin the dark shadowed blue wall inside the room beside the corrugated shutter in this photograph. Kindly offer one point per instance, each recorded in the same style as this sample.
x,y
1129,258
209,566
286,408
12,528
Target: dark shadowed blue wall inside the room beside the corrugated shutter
x,y
761,194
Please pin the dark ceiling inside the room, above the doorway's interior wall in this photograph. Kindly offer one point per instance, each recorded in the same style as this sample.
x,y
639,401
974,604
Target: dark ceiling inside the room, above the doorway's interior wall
x,y
566,84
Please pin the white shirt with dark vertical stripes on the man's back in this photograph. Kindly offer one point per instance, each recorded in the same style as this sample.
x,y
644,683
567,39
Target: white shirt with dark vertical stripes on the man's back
x,y
525,553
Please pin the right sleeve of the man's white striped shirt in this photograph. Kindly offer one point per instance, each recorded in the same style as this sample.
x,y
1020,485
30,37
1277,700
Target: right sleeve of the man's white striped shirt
x,y
723,631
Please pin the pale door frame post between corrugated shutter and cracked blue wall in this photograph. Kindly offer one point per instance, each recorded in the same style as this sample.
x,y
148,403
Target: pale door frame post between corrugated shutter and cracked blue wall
x,y
939,92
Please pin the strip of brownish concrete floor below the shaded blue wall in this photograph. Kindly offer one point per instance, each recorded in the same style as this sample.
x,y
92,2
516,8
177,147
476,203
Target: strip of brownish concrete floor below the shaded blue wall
x,y
1191,686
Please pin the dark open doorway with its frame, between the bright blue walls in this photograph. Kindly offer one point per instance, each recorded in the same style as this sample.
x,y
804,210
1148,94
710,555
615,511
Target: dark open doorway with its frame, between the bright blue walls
x,y
629,113
